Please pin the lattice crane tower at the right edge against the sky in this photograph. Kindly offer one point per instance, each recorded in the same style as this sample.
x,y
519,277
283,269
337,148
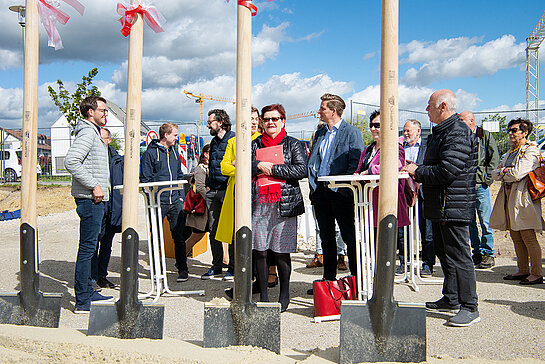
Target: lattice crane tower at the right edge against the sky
x,y
532,71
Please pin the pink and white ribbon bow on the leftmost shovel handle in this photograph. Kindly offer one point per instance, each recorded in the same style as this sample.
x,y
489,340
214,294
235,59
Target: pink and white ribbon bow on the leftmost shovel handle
x,y
50,13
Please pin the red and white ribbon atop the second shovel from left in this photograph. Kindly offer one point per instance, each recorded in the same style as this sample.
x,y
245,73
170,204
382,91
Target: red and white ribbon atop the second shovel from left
x,y
150,14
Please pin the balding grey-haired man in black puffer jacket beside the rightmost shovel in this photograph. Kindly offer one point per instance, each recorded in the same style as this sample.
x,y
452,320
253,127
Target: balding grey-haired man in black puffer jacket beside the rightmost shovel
x,y
448,181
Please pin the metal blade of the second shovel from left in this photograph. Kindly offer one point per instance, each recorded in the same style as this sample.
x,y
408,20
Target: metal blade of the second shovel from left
x,y
146,321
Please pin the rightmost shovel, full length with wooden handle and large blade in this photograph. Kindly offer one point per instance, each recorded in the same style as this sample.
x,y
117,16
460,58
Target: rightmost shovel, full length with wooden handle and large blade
x,y
383,329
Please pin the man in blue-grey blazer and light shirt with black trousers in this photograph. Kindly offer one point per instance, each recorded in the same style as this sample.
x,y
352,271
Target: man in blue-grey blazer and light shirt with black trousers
x,y
336,150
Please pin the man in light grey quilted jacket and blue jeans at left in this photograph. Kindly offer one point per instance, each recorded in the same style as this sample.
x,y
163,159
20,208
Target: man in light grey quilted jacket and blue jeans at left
x,y
87,162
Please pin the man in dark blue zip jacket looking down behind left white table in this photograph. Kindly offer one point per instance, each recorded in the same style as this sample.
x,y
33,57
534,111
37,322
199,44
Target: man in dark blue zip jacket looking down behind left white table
x,y
161,162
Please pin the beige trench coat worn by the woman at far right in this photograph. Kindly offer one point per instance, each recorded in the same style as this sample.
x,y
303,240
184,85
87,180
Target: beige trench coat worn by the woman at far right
x,y
523,212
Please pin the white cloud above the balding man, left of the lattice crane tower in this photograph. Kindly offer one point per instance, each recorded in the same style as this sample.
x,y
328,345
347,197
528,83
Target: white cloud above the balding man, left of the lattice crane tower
x,y
460,57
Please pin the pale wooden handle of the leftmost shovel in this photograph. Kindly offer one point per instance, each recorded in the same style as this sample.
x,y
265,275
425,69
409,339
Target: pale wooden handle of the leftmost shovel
x,y
30,116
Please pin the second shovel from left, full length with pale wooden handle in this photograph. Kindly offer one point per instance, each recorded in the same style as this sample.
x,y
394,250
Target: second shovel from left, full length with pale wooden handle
x,y
128,318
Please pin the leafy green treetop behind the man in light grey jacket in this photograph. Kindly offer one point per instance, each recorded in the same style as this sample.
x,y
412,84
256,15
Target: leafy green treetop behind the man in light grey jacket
x,y
69,104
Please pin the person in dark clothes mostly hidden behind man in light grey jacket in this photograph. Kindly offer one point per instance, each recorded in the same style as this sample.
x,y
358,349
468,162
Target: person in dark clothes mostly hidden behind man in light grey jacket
x,y
112,216
